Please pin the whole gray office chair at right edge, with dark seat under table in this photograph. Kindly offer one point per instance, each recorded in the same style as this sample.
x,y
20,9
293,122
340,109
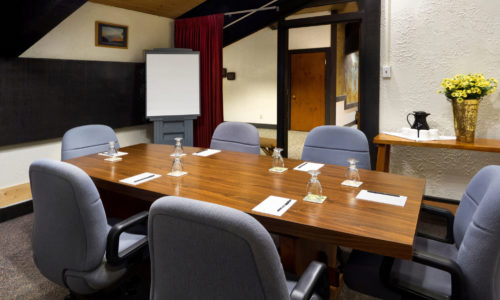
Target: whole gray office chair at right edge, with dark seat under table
x,y
467,269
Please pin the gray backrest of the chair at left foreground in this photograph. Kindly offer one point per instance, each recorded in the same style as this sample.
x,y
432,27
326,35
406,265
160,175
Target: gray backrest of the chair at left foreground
x,y
70,229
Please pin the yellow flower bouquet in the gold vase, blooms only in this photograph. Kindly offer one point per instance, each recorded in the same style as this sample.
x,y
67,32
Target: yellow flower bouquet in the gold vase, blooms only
x,y
464,87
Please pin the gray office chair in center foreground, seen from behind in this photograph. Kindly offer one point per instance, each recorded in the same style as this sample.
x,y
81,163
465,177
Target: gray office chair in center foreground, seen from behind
x,y
202,250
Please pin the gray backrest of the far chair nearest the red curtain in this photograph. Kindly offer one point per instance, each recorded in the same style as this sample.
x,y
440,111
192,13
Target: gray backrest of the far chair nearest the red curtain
x,y
236,136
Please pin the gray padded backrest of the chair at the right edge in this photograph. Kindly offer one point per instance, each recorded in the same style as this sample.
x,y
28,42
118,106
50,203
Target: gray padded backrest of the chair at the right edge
x,y
477,234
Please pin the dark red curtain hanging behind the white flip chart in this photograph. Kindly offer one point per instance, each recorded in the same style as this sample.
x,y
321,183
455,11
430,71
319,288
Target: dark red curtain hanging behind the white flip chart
x,y
204,34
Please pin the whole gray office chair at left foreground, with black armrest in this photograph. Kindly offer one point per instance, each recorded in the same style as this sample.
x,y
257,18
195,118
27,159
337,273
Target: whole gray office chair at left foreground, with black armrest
x,y
73,245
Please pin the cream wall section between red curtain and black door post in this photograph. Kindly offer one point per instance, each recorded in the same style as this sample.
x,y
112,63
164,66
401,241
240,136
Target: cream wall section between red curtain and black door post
x,y
252,96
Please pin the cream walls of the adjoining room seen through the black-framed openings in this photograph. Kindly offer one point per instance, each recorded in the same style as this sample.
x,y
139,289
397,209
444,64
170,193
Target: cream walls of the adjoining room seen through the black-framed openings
x,y
252,96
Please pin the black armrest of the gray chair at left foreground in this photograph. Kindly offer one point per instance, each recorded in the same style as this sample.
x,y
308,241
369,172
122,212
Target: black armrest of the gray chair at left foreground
x,y
112,256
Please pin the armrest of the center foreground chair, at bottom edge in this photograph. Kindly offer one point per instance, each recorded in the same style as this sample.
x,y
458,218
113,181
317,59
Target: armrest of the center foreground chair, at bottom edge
x,y
314,278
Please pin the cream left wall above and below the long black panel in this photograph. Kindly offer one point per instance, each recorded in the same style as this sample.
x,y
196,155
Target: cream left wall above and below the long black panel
x,y
74,39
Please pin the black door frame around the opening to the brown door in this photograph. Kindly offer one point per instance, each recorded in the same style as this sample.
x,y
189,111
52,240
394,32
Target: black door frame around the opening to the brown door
x,y
369,72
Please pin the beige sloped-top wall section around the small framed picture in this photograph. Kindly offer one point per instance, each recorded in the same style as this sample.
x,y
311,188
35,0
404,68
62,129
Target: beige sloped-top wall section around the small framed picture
x,y
74,38
